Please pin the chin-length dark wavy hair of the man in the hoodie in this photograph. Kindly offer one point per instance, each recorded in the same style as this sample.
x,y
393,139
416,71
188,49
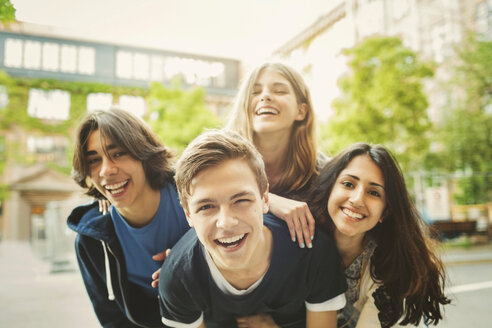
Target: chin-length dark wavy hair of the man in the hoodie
x,y
131,134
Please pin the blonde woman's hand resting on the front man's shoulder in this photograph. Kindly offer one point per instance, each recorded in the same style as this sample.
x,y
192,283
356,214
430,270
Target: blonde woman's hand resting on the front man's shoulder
x,y
297,216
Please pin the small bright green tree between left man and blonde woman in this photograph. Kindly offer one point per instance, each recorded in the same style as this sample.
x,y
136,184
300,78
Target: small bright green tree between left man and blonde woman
x,y
178,116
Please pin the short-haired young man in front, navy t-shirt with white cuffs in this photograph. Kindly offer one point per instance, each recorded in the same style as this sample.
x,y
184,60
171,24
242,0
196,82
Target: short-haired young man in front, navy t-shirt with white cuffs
x,y
238,260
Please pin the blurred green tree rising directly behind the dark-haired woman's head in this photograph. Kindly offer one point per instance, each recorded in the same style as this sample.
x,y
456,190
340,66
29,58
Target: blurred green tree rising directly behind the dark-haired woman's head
x,y
382,101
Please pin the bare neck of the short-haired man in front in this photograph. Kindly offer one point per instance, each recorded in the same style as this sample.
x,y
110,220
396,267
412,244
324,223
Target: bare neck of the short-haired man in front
x,y
259,262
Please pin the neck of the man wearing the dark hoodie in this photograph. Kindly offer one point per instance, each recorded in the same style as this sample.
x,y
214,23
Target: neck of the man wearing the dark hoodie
x,y
141,213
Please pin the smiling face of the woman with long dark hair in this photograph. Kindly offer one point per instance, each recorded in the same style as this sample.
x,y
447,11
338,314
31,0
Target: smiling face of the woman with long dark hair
x,y
358,198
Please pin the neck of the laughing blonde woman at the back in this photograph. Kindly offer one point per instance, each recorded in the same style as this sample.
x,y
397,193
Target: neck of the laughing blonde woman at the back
x,y
273,148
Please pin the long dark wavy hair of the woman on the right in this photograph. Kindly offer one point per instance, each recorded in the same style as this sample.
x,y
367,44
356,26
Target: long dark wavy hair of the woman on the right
x,y
404,260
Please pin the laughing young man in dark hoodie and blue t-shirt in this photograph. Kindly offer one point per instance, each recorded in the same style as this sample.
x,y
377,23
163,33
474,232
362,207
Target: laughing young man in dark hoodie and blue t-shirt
x,y
119,158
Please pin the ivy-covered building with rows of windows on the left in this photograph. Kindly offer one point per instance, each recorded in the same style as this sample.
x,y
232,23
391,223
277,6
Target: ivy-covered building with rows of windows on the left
x,y
31,153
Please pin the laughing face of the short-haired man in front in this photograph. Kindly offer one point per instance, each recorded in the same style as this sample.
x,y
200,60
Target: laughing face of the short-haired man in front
x,y
226,209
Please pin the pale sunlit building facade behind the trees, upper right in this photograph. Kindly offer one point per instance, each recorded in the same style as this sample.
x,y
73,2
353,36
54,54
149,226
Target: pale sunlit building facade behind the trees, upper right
x,y
430,27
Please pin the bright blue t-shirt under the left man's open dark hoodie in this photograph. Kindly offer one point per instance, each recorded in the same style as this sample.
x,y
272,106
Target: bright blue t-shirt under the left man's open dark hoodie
x,y
139,244
